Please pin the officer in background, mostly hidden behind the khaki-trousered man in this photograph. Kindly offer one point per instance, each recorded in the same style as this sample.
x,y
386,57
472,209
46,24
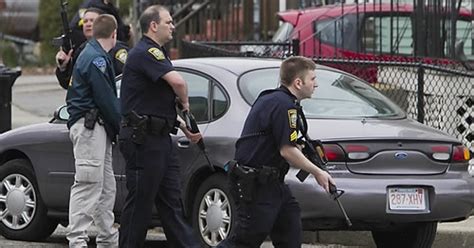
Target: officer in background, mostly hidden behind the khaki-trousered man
x,y
65,62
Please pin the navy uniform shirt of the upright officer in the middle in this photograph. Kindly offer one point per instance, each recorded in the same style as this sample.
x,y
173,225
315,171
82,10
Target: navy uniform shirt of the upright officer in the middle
x,y
143,89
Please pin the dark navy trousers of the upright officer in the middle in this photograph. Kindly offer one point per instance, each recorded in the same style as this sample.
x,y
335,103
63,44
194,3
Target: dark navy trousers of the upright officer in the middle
x,y
153,179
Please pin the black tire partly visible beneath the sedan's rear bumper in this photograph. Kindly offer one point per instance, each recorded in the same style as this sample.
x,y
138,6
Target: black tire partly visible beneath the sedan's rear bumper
x,y
417,235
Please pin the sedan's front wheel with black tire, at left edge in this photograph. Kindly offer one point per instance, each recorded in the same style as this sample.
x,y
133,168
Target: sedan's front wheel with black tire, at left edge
x,y
22,211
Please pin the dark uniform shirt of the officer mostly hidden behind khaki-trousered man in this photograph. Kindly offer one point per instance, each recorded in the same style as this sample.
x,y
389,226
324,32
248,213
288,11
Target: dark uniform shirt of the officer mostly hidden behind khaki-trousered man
x,y
118,54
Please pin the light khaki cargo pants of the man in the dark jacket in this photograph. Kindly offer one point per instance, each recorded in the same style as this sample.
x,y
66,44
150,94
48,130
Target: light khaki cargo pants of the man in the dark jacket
x,y
93,192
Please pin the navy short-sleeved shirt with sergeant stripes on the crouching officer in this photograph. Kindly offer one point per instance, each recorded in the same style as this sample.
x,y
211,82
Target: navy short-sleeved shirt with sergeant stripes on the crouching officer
x,y
271,123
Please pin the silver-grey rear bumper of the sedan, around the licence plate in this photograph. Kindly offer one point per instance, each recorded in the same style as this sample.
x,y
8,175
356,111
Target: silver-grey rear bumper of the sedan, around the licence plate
x,y
450,198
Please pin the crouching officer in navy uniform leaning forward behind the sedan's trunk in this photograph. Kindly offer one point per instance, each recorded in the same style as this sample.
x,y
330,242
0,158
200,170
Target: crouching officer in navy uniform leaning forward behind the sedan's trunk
x,y
265,204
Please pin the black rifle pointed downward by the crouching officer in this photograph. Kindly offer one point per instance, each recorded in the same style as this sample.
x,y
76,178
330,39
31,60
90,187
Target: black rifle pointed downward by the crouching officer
x,y
314,152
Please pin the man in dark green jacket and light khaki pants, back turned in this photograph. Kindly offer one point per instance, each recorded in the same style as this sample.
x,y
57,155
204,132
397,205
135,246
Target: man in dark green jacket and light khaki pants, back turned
x,y
94,118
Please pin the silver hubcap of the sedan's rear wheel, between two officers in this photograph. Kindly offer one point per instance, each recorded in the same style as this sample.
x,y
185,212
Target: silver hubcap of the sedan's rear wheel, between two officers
x,y
214,217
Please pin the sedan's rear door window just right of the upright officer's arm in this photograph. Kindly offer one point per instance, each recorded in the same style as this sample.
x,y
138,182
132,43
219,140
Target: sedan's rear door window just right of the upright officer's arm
x,y
198,93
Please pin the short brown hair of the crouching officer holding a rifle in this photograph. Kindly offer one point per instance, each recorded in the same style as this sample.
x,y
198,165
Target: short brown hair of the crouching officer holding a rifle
x,y
294,67
